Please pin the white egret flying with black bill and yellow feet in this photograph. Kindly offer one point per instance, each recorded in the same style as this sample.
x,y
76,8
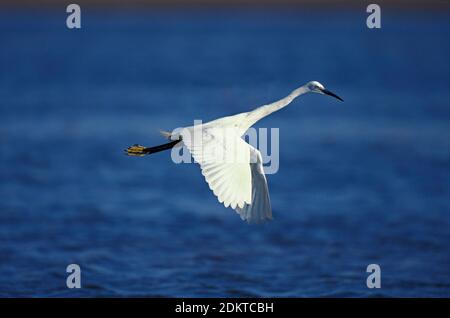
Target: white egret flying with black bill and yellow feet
x,y
232,168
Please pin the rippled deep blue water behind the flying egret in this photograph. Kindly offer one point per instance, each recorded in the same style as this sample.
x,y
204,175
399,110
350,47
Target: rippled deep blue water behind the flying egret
x,y
361,182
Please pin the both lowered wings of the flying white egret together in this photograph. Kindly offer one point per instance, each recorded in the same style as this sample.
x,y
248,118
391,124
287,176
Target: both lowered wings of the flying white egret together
x,y
233,170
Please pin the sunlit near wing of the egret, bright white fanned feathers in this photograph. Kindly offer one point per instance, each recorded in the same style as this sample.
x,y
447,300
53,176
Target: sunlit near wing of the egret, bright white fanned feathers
x,y
224,160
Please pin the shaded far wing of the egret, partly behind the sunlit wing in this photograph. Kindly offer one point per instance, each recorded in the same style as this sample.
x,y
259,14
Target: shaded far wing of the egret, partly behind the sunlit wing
x,y
260,209
